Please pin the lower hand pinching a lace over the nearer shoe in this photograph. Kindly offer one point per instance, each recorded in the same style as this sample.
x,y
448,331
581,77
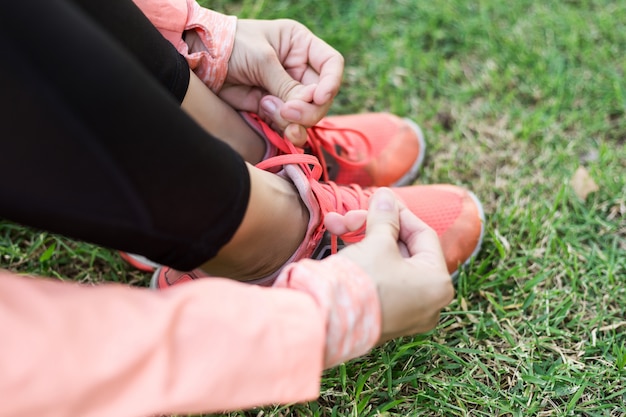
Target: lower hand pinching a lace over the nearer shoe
x,y
412,289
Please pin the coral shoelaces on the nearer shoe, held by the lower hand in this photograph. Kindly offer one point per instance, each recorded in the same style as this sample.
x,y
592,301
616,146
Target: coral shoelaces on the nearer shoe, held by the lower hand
x,y
330,196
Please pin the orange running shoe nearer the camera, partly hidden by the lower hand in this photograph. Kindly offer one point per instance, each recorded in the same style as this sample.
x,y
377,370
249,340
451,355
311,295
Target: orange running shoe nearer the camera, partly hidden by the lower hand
x,y
454,213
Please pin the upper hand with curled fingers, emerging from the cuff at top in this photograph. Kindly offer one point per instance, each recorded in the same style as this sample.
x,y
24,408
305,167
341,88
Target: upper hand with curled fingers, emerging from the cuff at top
x,y
281,71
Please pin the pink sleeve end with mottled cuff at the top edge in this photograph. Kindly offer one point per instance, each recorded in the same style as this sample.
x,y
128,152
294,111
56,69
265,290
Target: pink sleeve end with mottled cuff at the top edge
x,y
216,31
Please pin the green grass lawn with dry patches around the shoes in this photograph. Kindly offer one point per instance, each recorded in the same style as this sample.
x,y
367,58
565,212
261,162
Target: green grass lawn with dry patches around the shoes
x,y
513,97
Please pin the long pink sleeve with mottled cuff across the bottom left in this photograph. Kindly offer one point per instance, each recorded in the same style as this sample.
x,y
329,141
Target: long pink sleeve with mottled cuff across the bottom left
x,y
207,346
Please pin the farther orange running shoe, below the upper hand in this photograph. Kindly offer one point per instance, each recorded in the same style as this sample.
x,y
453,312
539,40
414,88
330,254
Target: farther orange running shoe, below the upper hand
x,y
367,149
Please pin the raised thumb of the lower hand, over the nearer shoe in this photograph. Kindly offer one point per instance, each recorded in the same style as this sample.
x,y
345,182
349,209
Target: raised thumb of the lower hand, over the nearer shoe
x,y
383,218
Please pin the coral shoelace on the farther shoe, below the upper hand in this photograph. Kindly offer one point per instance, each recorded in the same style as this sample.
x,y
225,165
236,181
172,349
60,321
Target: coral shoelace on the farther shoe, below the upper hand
x,y
317,141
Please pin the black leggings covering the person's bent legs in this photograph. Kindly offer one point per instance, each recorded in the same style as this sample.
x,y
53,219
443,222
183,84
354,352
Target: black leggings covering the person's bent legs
x,y
93,143
